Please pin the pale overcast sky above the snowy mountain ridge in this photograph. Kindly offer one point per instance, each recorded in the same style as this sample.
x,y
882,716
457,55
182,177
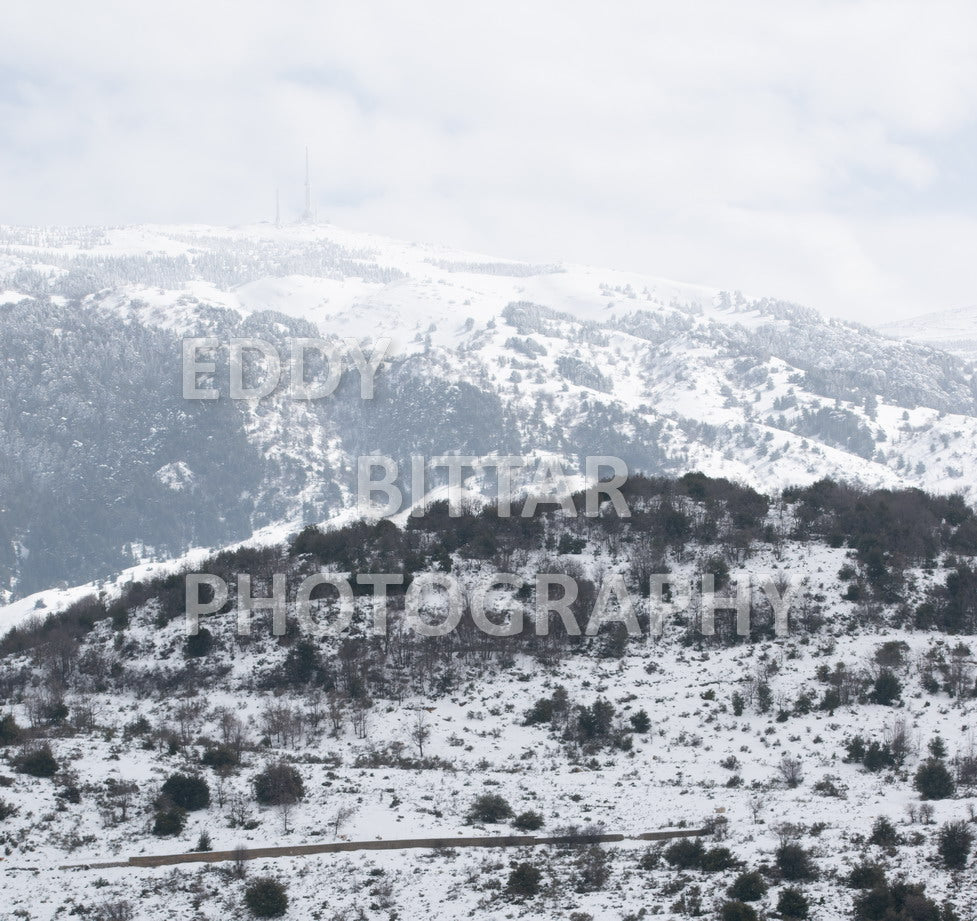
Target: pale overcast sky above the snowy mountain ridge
x,y
820,152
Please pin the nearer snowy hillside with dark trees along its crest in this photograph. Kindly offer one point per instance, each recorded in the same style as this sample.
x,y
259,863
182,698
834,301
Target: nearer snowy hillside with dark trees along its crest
x,y
802,751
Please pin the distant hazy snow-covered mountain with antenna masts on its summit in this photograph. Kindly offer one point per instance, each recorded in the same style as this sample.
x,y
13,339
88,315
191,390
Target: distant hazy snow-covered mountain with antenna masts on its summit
x,y
104,464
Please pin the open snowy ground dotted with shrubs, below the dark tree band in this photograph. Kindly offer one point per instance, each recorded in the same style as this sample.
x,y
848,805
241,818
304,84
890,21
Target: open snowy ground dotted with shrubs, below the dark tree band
x,y
698,762
